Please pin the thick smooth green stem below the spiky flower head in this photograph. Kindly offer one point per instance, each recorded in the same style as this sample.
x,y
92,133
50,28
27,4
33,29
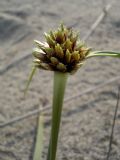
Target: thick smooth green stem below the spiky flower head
x,y
58,96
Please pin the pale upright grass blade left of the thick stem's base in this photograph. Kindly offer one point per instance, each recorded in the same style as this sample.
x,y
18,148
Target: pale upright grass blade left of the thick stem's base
x,y
39,140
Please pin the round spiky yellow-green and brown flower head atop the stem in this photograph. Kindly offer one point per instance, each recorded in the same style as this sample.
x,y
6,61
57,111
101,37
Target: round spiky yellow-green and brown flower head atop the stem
x,y
62,51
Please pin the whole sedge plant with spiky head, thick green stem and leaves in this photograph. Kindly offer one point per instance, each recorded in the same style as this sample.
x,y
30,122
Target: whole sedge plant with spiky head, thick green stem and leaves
x,y
64,53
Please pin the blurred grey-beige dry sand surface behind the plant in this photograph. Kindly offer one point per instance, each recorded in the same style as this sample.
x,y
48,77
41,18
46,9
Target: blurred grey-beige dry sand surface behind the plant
x,y
87,119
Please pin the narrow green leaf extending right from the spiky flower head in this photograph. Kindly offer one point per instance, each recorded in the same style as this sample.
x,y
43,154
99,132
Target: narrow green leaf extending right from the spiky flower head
x,y
104,53
